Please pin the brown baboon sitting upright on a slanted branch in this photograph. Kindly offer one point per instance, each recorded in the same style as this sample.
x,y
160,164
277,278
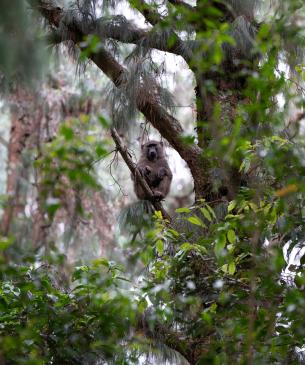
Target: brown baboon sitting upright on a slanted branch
x,y
154,168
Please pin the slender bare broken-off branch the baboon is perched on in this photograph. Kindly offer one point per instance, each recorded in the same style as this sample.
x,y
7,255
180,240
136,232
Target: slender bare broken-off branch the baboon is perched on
x,y
136,173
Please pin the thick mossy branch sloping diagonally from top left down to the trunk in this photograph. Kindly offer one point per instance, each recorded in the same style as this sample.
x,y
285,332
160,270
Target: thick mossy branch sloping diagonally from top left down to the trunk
x,y
147,102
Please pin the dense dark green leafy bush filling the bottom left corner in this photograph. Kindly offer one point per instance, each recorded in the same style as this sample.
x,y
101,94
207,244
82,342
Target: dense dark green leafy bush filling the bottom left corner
x,y
42,322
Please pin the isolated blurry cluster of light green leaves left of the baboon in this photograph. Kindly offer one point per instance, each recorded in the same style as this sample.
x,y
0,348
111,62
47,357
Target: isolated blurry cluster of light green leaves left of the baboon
x,y
67,161
